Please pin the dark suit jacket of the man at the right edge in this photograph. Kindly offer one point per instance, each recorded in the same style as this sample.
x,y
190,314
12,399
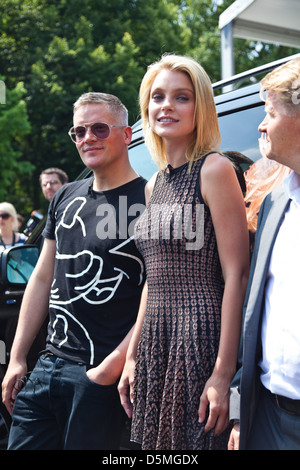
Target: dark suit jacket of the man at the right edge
x,y
246,385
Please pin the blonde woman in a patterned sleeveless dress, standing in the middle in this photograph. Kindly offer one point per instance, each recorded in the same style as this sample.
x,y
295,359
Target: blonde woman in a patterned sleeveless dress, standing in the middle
x,y
194,240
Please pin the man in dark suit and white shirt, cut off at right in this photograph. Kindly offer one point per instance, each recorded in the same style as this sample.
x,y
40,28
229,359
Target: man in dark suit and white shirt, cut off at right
x,y
265,393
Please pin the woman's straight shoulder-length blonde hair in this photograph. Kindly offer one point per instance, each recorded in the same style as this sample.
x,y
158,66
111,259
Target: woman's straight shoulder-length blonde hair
x,y
207,133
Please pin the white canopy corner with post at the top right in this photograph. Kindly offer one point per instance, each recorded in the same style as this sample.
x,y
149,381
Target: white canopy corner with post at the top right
x,y
271,21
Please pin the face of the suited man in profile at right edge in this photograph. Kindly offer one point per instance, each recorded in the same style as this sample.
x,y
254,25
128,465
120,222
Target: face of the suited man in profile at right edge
x,y
281,129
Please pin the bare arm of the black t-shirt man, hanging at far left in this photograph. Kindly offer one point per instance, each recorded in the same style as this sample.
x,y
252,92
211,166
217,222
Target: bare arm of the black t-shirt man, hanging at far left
x,y
33,312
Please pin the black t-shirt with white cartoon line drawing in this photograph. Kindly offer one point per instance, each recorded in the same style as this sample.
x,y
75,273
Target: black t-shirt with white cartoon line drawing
x,y
99,273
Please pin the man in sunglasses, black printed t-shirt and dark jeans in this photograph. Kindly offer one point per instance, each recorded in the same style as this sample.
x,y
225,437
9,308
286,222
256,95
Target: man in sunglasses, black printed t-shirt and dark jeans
x,y
88,279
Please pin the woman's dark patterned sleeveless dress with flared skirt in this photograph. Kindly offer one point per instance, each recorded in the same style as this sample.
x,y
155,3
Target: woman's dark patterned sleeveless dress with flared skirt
x,y
181,330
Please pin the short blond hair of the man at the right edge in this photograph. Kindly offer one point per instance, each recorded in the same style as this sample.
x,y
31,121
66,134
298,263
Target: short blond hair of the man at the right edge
x,y
285,82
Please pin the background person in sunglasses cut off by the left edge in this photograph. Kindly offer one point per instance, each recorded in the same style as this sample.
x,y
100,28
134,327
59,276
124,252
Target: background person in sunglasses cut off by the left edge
x,y
9,235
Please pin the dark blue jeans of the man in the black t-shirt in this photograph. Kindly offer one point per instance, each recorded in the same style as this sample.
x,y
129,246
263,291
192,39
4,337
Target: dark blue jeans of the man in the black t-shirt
x,y
60,408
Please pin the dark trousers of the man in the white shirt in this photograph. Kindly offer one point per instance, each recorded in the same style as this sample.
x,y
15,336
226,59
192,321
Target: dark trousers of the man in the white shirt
x,y
273,428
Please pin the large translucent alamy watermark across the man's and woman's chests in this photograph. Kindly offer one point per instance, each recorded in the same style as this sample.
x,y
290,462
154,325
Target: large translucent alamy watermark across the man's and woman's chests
x,y
160,221
